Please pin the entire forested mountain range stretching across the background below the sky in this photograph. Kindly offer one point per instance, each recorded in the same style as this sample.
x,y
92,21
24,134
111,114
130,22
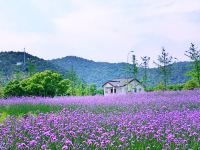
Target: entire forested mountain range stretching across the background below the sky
x,y
88,70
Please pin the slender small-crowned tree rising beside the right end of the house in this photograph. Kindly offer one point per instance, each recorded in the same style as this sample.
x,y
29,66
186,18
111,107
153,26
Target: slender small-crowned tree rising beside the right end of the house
x,y
145,66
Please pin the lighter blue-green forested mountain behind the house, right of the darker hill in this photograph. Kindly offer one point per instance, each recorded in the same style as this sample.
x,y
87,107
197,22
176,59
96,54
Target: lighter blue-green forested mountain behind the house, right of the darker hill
x,y
100,72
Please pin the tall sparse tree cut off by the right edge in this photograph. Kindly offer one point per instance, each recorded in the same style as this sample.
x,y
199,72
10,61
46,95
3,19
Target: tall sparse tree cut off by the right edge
x,y
194,55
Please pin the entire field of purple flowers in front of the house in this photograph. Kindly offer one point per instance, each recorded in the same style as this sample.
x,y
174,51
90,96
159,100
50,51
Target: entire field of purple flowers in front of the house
x,y
157,120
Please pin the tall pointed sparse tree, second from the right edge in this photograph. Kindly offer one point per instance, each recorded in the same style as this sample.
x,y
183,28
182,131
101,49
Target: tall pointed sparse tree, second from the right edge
x,y
164,64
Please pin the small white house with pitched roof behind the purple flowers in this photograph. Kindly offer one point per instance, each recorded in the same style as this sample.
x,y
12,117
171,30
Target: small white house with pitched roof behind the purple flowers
x,y
123,86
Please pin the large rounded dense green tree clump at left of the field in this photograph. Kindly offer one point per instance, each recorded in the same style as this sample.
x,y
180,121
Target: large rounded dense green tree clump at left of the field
x,y
40,84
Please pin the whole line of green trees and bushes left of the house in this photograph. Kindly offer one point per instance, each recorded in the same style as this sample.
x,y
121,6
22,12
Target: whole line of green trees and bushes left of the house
x,y
49,83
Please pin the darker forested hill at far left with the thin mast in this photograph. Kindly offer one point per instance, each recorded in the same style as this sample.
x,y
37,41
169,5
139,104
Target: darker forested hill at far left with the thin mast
x,y
12,62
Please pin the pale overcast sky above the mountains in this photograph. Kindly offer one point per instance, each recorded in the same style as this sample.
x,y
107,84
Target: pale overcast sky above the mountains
x,y
100,30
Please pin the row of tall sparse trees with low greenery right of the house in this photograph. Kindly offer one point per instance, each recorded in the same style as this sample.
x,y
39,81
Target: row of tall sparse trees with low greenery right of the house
x,y
165,63
